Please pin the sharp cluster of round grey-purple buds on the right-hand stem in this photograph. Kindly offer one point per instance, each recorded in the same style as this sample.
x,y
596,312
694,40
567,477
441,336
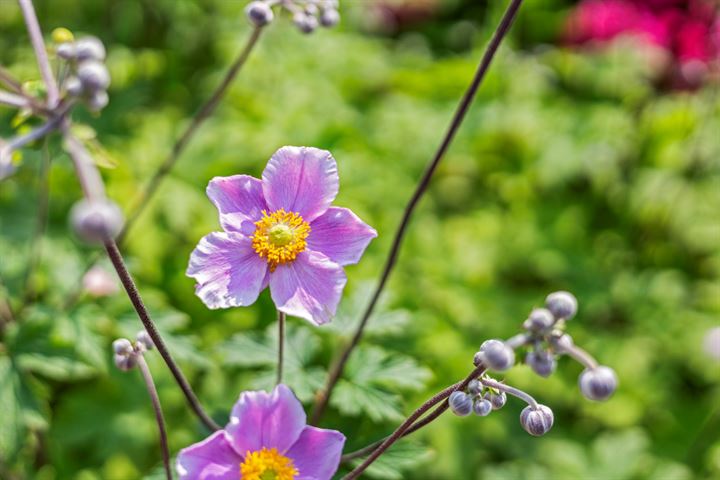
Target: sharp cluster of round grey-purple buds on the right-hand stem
x,y
546,338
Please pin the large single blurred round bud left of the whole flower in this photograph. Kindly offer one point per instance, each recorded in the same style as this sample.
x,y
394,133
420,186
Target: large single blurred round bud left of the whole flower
x,y
96,221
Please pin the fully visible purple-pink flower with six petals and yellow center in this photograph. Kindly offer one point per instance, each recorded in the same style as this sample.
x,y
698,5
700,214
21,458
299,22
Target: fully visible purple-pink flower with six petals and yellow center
x,y
280,231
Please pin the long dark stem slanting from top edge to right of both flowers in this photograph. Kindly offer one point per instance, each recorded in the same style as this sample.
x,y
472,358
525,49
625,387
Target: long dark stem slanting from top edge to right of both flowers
x,y
337,369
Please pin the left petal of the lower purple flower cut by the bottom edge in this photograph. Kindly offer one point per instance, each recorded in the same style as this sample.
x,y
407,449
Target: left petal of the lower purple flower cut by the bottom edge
x,y
211,459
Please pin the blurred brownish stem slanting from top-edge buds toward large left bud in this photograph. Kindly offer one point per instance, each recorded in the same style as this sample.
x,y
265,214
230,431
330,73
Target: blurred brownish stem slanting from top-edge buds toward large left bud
x,y
179,147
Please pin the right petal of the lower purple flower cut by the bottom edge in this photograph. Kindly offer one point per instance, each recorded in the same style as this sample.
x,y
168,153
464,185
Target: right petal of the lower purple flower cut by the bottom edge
x,y
317,452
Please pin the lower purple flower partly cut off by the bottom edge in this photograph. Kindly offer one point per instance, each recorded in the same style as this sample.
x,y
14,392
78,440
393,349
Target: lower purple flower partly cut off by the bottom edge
x,y
266,438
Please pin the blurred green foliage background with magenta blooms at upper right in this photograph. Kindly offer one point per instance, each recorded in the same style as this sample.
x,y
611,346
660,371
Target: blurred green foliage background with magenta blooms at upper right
x,y
590,161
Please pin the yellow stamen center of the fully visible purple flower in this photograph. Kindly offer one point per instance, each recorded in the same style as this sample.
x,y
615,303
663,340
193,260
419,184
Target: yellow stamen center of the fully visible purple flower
x,y
280,237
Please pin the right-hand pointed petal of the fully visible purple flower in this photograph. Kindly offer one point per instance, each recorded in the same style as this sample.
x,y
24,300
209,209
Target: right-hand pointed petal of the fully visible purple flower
x,y
340,235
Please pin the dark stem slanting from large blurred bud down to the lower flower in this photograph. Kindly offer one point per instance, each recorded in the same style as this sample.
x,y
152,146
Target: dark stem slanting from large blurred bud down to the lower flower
x,y
127,281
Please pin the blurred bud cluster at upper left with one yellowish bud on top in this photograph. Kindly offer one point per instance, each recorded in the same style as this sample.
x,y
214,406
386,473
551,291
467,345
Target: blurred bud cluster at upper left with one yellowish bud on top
x,y
87,76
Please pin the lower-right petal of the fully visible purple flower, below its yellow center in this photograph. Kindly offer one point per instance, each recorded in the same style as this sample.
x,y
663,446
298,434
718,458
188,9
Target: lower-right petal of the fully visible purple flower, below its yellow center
x,y
309,287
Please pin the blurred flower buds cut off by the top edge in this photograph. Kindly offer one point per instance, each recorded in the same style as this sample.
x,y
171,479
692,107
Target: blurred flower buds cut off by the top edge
x,y
308,15
